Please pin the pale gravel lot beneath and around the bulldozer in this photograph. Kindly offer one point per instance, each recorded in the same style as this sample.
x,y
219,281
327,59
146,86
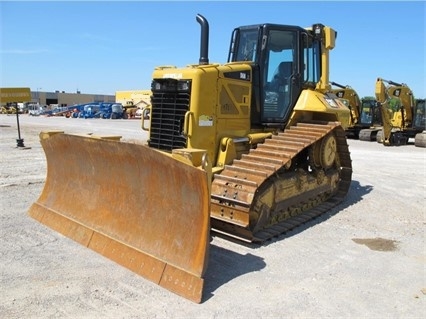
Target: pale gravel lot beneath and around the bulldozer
x,y
365,258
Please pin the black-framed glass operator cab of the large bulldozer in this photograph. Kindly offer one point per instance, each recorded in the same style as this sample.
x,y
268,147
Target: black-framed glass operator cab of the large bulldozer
x,y
284,59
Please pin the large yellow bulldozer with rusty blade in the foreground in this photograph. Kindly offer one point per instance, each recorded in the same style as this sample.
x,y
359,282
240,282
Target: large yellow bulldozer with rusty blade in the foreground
x,y
248,149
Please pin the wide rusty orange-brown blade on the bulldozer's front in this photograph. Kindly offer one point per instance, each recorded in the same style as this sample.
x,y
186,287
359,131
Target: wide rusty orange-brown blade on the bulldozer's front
x,y
134,205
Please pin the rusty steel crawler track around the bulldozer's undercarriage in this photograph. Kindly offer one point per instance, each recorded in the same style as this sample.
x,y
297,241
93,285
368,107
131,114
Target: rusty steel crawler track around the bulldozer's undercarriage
x,y
235,188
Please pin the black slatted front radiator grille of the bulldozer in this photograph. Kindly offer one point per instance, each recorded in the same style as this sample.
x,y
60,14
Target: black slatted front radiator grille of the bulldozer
x,y
167,118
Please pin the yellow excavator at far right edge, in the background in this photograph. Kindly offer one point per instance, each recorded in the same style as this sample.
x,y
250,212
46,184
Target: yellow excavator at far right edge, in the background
x,y
400,113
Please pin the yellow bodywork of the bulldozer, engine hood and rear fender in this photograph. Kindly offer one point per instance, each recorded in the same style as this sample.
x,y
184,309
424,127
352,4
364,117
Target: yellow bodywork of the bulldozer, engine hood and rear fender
x,y
212,128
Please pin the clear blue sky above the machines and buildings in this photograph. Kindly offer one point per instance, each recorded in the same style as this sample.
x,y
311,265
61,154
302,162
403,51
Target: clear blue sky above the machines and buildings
x,y
100,47
